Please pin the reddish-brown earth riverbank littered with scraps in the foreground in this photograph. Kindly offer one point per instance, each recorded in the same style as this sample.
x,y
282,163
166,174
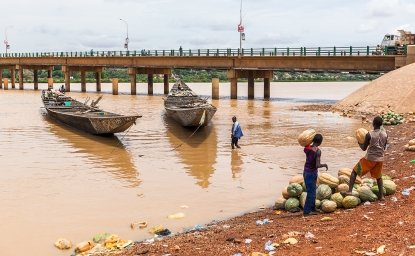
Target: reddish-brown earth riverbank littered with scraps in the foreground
x,y
351,232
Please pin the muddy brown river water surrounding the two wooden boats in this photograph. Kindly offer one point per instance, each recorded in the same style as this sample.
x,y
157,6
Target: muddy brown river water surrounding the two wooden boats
x,y
60,182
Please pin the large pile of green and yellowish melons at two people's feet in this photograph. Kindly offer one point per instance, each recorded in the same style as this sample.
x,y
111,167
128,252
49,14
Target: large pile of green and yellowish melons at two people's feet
x,y
330,192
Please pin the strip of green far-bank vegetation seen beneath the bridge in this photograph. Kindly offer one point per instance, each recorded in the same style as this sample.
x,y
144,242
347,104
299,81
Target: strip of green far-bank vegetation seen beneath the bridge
x,y
197,76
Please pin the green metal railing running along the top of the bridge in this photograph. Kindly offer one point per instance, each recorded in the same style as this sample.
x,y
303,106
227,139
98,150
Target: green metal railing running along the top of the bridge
x,y
287,51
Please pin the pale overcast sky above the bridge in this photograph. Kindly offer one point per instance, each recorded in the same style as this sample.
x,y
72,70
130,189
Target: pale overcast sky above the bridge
x,y
82,25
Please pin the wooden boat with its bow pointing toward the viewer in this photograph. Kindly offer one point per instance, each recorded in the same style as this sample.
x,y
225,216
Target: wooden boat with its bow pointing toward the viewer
x,y
186,107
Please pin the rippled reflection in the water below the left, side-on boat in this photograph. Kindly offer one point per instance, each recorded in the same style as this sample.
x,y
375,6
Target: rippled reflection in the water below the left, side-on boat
x,y
108,152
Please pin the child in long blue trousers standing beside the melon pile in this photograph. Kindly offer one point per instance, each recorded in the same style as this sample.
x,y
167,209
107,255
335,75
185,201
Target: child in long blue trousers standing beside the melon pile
x,y
312,163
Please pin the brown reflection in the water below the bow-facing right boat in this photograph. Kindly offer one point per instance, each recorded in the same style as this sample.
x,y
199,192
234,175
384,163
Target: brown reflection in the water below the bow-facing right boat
x,y
197,152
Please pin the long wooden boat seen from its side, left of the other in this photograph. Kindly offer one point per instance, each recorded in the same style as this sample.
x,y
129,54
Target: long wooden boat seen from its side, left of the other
x,y
81,116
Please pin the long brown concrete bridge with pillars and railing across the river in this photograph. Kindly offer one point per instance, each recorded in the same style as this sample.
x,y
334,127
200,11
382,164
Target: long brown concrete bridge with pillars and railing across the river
x,y
239,63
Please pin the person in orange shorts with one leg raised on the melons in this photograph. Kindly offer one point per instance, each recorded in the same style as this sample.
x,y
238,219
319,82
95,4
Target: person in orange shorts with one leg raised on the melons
x,y
375,144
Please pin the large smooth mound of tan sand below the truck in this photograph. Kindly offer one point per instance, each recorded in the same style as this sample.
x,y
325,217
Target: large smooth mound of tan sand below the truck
x,y
394,91
